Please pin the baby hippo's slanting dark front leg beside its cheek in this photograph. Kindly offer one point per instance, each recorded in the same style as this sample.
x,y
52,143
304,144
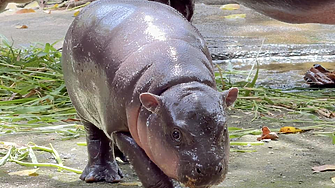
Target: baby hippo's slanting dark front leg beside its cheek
x,y
149,174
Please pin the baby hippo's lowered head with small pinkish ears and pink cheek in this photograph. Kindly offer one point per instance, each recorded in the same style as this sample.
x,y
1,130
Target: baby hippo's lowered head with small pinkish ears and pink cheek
x,y
186,133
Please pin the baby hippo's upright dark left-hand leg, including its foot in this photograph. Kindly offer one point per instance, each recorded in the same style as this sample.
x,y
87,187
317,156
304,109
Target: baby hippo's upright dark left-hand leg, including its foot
x,y
101,160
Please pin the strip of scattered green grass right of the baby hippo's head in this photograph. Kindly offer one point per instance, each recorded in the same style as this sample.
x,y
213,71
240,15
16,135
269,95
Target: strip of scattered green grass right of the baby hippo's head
x,y
262,100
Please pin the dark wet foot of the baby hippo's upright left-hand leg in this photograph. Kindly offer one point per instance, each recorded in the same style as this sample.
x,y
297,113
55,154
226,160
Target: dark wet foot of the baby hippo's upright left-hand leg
x,y
109,172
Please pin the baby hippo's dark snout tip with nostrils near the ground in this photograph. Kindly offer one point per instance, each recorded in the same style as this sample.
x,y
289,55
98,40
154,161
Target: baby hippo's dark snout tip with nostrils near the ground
x,y
204,175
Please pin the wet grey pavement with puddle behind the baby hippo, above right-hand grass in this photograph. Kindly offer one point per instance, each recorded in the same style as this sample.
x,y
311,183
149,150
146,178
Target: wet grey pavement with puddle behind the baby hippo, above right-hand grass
x,y
284,51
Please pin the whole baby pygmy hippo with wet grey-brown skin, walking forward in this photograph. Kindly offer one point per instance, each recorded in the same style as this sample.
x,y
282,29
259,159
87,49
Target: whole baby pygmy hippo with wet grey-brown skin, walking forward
x,y
141,79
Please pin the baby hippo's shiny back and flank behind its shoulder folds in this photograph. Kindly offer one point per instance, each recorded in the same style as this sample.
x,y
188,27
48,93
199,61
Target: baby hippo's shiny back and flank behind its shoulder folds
x,y
101,38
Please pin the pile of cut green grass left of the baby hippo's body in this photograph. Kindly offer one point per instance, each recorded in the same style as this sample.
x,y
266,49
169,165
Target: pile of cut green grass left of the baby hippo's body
x,y
32,89
